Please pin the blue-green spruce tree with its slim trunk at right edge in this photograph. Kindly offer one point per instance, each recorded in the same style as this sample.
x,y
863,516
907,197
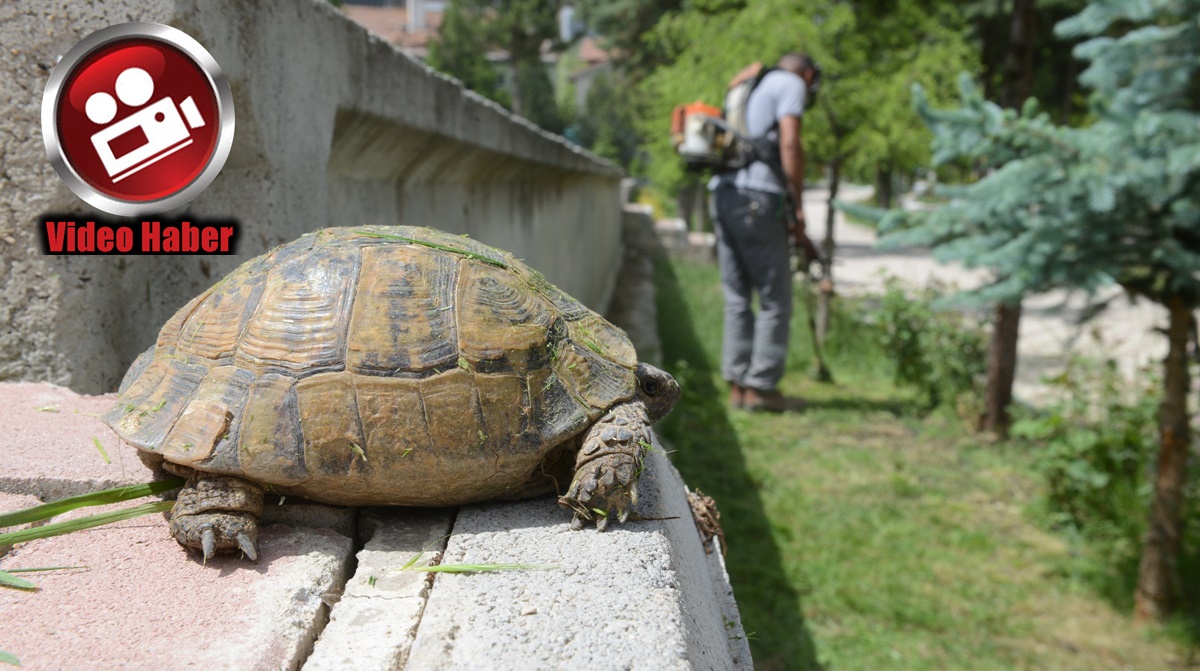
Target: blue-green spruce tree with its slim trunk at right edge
x,y
1115,202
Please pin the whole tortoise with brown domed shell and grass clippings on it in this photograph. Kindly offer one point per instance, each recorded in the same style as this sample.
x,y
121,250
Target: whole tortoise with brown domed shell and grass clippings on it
x,y
388,367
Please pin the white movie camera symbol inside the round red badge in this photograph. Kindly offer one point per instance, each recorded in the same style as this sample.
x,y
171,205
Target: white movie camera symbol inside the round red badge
x,y
145,137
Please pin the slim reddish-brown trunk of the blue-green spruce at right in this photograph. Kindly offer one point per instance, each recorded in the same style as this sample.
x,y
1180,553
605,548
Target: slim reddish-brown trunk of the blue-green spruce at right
x,y
1157,573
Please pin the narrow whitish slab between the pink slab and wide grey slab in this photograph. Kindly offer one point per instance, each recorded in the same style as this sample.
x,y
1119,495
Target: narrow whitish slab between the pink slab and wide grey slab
x,y
373,627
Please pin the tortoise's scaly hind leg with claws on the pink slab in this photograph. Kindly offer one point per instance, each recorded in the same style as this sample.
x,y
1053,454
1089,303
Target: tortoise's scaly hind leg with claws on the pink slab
x,y
218,514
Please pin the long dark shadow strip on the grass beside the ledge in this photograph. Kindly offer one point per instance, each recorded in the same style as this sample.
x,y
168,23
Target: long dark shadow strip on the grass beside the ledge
x,y
710,458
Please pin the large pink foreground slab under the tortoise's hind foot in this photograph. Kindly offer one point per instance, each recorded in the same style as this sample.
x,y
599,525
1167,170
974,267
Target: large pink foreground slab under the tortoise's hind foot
x,y
146,603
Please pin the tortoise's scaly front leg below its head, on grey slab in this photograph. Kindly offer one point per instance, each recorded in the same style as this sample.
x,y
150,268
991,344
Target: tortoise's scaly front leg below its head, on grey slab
x,y
608,468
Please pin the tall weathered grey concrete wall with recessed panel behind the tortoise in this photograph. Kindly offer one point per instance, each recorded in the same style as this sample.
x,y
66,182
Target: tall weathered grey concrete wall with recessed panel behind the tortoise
x,y
334,128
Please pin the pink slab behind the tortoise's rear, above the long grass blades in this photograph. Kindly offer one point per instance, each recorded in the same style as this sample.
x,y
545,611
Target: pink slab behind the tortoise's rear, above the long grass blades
x,y
49,451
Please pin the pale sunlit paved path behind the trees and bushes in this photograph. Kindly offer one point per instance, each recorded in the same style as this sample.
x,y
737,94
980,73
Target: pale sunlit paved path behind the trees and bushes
x,y
1126,332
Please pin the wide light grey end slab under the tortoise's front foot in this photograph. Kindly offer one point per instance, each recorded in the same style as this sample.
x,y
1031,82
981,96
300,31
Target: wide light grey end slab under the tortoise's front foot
x,y
635,597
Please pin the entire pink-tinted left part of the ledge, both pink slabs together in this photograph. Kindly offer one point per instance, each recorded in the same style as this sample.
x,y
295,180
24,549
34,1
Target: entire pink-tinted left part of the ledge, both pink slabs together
x,y
145,602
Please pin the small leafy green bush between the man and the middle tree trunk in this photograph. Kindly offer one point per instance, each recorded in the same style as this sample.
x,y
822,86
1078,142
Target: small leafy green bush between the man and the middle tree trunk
x,y
940,354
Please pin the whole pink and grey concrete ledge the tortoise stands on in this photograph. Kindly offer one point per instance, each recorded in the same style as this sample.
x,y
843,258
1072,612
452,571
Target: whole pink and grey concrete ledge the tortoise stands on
x,y
644,595
